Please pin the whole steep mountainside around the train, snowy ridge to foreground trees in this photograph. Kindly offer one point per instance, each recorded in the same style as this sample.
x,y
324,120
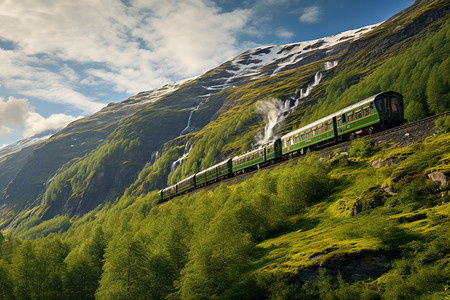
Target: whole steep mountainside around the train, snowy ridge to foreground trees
x,y
80,216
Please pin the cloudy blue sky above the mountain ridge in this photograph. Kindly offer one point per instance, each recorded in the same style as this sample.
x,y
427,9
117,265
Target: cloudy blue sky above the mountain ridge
x,y
61,60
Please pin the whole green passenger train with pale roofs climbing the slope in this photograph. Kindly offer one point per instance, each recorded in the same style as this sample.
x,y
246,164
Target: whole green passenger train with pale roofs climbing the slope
x,y
381,111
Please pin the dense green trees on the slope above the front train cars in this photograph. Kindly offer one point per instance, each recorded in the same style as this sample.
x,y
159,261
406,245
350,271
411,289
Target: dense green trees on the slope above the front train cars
x,y
419,73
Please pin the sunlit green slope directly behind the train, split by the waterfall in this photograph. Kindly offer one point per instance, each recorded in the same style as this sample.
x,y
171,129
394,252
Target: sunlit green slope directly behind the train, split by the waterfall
x,y
408,72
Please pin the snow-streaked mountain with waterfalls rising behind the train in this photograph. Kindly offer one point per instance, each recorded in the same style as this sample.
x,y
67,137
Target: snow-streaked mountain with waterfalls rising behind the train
x,y
158,137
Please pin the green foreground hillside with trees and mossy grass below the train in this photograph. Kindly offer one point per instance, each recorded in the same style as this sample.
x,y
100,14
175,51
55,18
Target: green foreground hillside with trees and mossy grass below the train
x,y
307,229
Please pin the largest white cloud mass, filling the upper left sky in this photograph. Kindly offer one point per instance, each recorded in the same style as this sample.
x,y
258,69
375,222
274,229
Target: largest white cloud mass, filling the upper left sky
x,y
63,47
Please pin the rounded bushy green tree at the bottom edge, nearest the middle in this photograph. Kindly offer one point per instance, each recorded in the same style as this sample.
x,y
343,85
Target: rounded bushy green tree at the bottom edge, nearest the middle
x,y
217,260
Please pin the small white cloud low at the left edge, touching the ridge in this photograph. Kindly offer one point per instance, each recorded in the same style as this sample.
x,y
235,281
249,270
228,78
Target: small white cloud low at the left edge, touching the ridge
x,y
17,112
